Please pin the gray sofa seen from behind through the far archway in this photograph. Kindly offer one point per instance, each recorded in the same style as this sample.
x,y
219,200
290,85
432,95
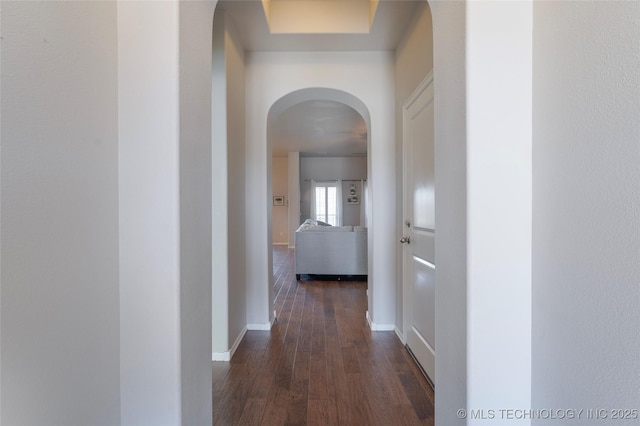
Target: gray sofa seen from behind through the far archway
x,y
330,250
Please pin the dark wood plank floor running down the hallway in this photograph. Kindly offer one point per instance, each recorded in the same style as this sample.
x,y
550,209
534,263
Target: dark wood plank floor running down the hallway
x,y
320,364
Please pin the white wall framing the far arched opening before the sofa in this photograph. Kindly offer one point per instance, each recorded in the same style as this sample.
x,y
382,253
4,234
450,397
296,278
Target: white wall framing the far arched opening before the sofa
x,y
354,73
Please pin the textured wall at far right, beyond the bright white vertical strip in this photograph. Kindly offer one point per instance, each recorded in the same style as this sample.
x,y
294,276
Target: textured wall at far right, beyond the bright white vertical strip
x,y
586,206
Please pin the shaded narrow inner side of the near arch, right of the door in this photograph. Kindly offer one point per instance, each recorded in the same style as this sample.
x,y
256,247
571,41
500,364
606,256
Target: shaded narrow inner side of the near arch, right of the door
x,y
449,60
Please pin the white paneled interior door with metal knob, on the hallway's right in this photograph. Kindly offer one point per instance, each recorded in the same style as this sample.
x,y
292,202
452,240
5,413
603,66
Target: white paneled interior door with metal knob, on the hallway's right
x,y
419,226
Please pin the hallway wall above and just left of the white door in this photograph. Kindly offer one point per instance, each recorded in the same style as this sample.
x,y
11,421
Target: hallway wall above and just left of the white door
x,y
414,60
